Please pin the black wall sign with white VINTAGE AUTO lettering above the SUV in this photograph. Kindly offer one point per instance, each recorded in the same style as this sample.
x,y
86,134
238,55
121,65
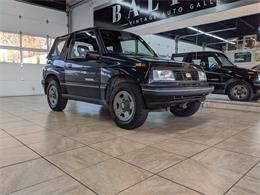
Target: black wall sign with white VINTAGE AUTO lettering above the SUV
x,y
129,13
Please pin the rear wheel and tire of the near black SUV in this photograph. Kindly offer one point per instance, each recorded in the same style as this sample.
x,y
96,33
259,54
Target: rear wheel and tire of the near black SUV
x,y
60,103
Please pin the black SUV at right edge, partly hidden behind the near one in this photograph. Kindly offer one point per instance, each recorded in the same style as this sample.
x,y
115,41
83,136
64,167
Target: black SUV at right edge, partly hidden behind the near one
x,y
239,84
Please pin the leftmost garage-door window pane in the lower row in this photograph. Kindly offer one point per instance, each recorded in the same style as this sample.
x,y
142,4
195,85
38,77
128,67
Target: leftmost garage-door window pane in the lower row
x,y
10,56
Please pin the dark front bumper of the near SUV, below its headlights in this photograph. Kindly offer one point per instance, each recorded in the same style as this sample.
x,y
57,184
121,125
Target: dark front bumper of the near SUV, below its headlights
x,y
158,97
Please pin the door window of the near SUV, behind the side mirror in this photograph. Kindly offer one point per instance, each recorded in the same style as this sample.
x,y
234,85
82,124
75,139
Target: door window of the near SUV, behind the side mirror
x,y
83,43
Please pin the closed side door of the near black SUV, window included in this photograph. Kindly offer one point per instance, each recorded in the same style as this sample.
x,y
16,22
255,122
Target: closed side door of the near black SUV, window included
x,y
82,74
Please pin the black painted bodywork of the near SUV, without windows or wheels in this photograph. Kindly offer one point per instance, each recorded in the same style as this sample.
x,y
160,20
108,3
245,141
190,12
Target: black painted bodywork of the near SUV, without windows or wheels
x,y
89,80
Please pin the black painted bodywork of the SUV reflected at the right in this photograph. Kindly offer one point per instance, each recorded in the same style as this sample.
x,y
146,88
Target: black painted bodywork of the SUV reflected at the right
x,y
220,78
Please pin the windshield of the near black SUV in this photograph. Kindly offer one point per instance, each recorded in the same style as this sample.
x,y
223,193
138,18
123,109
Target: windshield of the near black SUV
x,y
125,43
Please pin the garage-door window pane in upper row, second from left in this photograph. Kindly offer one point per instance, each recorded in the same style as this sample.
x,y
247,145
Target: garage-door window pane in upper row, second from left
x,y
34,42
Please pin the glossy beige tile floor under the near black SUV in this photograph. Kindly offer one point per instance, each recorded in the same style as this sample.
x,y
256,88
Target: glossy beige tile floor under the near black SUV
x,y
81,151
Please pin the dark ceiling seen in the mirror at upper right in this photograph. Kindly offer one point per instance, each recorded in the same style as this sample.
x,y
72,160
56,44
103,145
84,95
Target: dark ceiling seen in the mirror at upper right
x,y
228,29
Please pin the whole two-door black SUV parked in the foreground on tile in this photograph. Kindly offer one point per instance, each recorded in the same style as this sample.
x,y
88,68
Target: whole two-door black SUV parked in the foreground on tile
x,y
119,69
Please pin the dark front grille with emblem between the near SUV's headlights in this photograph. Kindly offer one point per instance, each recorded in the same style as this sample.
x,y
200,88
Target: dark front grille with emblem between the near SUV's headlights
x,y
186,75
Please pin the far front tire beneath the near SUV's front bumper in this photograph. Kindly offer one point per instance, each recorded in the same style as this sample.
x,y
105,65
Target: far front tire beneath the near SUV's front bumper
x,y
190,109
